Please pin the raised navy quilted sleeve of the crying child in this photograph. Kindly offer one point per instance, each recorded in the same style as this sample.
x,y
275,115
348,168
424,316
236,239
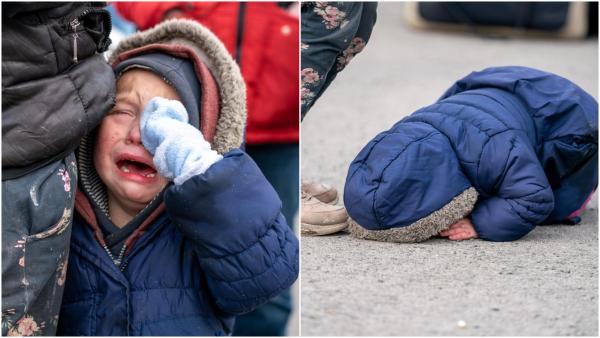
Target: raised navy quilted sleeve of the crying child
x,y
232,215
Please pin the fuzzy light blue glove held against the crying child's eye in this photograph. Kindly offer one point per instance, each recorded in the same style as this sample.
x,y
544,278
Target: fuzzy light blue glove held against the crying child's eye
x,y
180,151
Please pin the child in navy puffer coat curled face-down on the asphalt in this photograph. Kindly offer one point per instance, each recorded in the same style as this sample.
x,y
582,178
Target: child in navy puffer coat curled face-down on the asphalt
x,y
503,150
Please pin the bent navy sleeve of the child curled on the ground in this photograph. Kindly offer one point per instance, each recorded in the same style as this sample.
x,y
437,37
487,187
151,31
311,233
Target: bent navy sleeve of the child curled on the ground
x,y
516,196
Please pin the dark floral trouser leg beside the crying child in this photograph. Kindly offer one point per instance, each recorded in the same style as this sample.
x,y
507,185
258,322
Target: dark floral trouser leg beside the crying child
x,y
37,212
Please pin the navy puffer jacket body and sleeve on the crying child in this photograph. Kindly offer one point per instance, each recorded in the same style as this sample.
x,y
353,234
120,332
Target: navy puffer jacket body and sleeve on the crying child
x,y
221,248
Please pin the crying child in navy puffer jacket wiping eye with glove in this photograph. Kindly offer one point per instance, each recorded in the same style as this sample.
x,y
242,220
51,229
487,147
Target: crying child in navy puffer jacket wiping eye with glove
x,y
155,257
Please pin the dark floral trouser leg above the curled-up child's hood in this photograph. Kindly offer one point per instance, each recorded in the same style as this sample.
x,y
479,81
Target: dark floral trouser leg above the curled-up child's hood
x,y
332,34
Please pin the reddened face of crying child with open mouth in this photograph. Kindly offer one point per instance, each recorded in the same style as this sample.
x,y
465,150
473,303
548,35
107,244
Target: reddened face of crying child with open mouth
x,y
122,162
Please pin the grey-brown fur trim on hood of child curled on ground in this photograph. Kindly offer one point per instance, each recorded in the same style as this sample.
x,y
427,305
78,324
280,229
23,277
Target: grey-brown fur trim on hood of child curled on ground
x,y
421,230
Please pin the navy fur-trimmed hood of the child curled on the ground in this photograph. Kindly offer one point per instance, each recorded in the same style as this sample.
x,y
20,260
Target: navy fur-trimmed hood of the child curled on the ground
x,y
406,185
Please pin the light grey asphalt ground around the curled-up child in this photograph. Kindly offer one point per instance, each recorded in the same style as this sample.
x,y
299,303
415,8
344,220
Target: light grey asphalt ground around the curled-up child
x,y
543,284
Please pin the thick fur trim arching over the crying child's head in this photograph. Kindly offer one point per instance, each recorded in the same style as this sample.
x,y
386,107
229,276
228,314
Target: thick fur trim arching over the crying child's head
x,y
191,38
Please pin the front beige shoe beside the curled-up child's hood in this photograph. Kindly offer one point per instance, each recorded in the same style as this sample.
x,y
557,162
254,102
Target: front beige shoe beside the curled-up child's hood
x,y
318,218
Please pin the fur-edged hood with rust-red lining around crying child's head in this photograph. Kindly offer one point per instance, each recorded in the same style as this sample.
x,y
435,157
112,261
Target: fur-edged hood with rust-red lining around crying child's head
x,y
222,104
